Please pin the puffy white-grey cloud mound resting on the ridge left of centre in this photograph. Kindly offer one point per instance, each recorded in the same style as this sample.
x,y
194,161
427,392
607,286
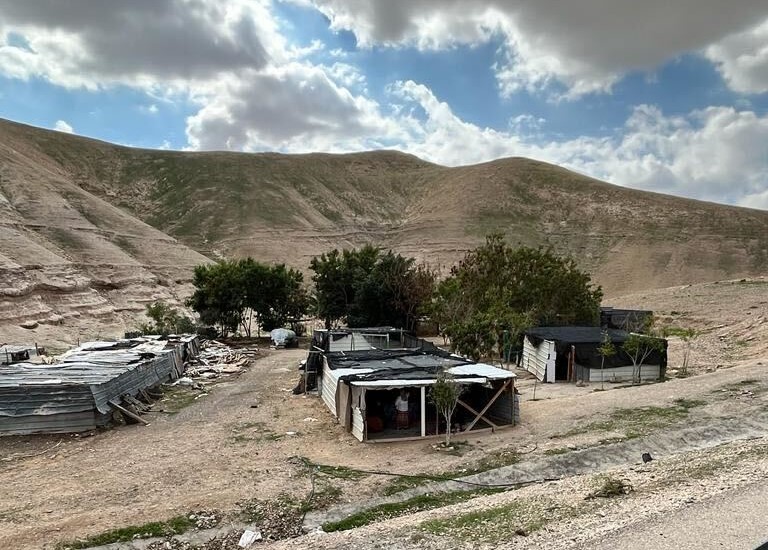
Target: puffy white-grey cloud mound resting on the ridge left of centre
x,y
296,107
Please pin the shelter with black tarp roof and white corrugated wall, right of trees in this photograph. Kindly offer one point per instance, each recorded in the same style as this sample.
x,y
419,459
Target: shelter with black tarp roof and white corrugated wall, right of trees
x,y
571,354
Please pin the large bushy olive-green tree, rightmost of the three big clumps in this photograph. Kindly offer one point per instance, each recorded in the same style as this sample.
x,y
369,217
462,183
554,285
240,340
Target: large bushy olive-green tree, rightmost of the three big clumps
x,y
498,291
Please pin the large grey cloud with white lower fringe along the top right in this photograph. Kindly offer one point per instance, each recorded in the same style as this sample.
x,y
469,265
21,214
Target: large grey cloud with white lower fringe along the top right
x,y
583,44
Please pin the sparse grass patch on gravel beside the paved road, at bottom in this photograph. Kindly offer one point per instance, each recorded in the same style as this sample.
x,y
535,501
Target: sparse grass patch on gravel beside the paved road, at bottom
x,y
494,525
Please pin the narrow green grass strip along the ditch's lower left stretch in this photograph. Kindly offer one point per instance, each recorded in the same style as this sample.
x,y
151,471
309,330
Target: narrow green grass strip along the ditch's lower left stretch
x,y
410,506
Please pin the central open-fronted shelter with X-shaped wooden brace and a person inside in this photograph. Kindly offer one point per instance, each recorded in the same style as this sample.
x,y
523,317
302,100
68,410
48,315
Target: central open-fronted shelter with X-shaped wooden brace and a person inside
x,y
360,389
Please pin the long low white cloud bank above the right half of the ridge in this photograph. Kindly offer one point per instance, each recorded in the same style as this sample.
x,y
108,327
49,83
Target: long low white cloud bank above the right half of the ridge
x,y
713,154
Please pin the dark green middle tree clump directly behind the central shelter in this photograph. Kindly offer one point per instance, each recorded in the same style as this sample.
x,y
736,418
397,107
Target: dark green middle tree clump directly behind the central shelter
x,y
367,288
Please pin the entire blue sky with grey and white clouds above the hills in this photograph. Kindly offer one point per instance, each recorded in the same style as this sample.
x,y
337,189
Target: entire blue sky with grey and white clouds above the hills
x,y
660,95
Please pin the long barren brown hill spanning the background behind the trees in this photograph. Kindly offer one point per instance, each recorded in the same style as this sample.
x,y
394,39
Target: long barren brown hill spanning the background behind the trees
x,y
291,207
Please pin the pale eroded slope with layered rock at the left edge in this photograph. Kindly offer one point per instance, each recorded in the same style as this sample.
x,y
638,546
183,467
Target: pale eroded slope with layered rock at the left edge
x,y
73,266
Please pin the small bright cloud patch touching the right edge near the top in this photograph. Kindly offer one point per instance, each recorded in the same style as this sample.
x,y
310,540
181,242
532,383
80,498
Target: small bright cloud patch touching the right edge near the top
x,y
742,59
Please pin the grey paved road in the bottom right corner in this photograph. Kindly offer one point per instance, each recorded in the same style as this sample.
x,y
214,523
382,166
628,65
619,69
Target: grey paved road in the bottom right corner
x,y
734,520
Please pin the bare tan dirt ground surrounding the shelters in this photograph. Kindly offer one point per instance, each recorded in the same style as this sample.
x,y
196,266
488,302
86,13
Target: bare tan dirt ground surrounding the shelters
x,y
240,440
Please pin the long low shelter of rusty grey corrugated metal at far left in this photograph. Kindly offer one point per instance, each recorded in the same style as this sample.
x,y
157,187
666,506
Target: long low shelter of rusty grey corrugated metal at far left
x,y
81,390
